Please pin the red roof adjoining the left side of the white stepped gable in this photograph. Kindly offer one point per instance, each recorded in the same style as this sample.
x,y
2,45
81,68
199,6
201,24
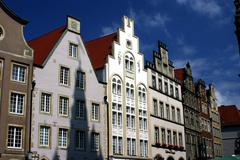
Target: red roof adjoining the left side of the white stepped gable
x,y
99,49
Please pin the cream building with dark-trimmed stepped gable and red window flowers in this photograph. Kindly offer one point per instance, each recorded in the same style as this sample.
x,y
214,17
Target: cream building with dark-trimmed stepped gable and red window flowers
x,y
166,110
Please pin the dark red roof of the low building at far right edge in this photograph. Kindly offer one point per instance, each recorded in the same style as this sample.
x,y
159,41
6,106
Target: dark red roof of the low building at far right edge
x,y
229,115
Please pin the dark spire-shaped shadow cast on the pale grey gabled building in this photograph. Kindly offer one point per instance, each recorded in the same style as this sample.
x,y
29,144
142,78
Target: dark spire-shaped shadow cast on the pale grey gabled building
x,y
82,125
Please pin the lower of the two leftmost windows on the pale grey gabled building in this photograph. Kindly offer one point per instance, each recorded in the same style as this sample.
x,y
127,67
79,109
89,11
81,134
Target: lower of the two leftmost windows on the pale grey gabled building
x,y
44,136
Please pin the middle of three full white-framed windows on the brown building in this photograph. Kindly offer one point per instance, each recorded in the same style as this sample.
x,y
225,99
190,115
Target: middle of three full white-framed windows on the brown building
x,y
17,103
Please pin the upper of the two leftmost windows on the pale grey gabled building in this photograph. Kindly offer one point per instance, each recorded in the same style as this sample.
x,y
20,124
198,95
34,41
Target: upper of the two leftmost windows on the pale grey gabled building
x,y
46,102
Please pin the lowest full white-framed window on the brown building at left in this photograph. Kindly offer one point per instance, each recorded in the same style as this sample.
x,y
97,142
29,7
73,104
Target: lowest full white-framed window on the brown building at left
x,y
15,137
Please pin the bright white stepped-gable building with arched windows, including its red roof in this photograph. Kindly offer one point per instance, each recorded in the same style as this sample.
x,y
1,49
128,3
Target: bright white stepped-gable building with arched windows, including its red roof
x,y
126,81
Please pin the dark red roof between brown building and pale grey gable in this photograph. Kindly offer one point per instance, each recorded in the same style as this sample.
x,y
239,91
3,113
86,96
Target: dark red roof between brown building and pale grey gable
x,y
44,44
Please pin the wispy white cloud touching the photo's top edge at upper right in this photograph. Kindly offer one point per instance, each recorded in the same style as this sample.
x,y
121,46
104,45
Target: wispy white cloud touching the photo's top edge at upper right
x,y
209,8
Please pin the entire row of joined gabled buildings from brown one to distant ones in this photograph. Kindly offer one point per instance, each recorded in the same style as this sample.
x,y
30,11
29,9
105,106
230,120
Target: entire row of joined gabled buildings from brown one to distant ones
x,y
63,98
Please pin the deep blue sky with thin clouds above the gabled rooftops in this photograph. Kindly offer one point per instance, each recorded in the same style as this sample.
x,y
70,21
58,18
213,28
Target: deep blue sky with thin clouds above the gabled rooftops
x,y
201,32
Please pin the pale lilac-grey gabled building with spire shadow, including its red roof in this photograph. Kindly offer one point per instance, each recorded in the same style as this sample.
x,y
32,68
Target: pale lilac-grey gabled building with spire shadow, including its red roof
x,y
68,108
